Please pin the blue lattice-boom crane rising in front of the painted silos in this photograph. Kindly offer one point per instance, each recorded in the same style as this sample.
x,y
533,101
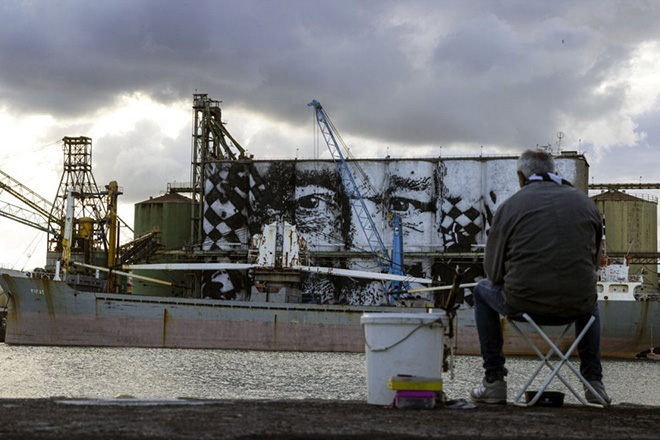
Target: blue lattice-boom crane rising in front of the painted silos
x,y
392,265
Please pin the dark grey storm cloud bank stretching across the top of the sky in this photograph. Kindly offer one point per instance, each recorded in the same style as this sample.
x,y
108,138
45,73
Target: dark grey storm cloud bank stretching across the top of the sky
x,y
422,72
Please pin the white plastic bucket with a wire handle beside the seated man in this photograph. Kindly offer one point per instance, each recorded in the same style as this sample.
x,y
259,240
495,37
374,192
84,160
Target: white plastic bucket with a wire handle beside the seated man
x,y
401,344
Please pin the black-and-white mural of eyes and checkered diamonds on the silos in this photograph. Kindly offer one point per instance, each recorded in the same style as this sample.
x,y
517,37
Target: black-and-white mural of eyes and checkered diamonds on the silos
x,y
445,206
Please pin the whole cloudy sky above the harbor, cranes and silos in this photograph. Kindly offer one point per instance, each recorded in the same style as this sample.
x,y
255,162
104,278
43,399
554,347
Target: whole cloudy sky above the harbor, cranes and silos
x,y
399,78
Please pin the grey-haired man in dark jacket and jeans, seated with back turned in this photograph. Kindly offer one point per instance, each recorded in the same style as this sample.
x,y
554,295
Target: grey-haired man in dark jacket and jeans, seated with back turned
x,y
542,258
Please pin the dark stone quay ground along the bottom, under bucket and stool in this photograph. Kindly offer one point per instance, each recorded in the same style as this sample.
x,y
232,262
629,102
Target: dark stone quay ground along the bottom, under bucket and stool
x,y
313,419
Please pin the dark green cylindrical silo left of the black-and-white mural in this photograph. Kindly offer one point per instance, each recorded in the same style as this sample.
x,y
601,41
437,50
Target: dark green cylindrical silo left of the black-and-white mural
x,y
170,215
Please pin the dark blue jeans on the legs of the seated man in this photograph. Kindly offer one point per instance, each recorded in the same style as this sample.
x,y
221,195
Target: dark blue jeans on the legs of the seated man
x,y
489,304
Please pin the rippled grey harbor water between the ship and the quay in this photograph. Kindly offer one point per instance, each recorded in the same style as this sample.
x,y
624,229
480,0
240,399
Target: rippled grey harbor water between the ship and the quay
x,y
101,373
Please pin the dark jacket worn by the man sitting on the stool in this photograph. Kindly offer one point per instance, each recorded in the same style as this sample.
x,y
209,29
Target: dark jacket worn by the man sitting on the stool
x,y
544,247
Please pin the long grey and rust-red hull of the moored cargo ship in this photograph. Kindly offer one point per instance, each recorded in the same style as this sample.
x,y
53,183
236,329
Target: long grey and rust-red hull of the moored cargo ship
x,y
44,312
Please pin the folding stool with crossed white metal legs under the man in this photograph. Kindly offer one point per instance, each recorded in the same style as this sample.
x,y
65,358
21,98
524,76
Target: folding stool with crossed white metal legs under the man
x,y
541,321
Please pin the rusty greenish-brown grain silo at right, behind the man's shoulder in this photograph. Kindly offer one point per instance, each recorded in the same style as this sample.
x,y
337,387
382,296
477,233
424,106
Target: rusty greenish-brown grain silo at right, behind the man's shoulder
x,y
631,227
